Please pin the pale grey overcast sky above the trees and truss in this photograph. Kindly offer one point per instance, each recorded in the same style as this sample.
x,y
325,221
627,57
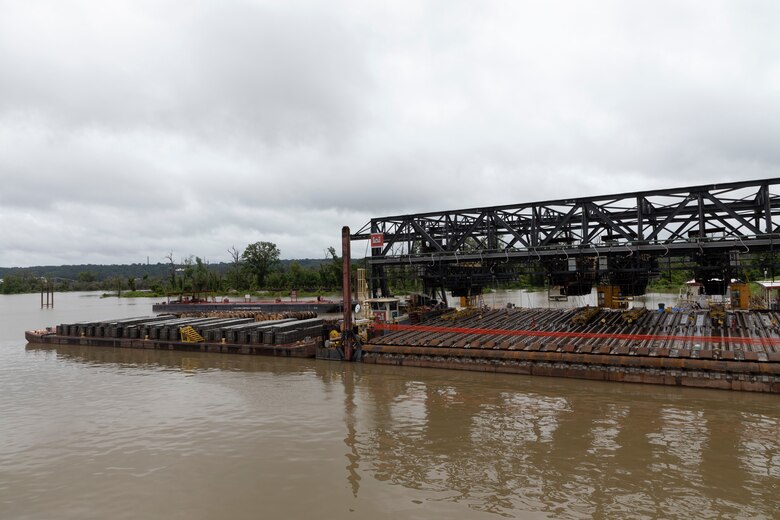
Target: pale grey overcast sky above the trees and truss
x,y
130,129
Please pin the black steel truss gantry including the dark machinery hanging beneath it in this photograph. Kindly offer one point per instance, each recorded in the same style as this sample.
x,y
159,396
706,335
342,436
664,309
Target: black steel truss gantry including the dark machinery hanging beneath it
x,y
583,240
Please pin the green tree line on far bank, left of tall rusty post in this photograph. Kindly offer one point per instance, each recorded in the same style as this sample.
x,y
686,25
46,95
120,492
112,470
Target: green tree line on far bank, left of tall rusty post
x,y
257,267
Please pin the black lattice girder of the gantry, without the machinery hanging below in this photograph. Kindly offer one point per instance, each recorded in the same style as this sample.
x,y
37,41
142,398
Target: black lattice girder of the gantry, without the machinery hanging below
x,y
663,216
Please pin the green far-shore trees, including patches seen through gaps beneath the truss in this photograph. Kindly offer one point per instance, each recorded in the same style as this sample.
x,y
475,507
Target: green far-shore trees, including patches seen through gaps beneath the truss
x,y
257,270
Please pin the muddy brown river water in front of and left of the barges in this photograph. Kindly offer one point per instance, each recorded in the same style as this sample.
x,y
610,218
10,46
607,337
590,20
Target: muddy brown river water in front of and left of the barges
x,y
90,432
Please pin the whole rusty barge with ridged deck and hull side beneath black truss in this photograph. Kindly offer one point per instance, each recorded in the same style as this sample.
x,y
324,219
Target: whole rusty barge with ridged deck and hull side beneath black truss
x,y
735,350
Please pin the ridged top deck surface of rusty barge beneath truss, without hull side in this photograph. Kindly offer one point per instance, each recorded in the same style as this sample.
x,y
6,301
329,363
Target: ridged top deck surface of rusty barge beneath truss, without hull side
x,y
656,333
